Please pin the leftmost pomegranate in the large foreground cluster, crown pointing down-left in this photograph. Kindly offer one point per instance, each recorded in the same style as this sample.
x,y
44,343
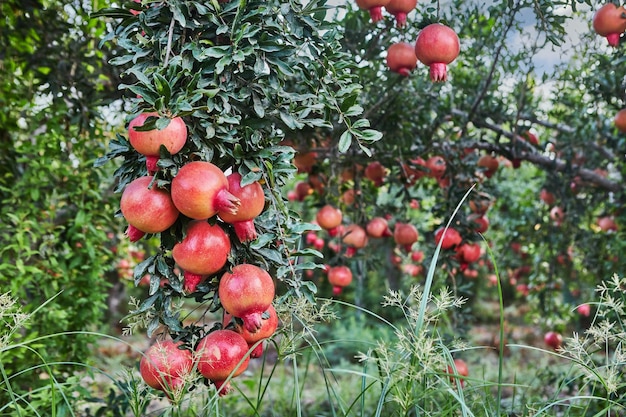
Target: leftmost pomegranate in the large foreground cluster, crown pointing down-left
x,y
146,209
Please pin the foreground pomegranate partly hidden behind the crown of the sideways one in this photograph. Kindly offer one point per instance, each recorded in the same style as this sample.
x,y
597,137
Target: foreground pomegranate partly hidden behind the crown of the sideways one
x,y
252,203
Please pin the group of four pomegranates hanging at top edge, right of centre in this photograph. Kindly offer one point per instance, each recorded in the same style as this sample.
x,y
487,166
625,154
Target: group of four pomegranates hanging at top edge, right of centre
x,y
436,46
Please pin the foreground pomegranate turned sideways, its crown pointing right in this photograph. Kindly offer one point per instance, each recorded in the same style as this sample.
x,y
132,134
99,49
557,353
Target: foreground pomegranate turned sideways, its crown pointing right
x,y
200,190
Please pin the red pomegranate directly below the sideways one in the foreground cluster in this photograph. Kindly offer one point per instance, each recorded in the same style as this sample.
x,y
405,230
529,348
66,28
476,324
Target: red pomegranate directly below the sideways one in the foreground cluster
x,y
203,251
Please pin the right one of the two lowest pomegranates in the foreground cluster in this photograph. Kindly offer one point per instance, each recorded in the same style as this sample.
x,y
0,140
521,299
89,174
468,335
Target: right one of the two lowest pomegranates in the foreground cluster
x,y
222,354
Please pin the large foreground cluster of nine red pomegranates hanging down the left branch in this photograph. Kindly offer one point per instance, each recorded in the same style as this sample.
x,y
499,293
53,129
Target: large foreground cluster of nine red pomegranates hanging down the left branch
x,y
211,206
